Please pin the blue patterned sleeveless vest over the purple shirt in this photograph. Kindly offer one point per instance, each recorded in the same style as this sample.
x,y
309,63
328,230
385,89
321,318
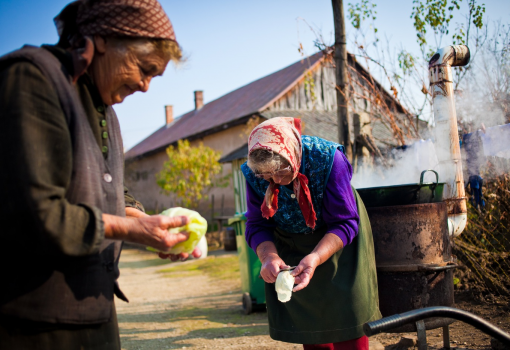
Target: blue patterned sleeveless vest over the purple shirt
x,y
317,160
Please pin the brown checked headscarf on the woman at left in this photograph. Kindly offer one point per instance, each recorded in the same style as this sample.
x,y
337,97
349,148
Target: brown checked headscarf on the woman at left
x,y
120,18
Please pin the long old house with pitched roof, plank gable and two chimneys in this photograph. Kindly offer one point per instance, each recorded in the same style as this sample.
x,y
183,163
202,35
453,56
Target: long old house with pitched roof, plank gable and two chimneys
x,y
305,89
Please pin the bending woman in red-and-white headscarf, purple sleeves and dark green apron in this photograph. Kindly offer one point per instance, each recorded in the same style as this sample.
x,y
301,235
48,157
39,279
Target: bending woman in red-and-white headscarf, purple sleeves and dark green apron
x,y
303,212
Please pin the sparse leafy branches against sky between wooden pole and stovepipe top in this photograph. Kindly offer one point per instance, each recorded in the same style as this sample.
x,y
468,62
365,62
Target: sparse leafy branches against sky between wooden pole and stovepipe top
x,y
436,23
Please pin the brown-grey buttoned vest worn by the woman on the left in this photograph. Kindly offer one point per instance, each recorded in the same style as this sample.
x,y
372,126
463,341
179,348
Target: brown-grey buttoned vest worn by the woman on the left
x,y
76,290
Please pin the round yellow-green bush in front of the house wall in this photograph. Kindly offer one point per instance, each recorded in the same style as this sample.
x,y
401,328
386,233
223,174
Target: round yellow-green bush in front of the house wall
x,y
190,173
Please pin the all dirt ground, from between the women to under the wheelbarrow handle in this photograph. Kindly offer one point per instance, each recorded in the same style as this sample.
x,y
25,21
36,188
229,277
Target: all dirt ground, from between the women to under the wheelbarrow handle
x,y
197,305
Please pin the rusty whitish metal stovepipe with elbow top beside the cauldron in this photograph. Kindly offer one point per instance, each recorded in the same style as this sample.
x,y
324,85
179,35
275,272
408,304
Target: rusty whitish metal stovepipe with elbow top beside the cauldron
x,y
446,132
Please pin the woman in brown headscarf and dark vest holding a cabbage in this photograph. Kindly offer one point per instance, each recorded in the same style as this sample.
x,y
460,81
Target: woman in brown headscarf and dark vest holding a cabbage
x,y
64,207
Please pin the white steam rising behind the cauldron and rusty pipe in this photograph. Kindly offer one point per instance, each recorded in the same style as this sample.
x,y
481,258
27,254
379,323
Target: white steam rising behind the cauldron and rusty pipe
x,y
404,166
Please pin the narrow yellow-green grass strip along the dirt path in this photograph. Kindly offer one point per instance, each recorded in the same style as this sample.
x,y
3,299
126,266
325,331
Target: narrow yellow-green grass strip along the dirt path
x,y
216,267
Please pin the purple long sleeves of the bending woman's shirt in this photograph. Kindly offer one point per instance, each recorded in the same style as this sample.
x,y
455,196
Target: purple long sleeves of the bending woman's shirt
x,y
339,208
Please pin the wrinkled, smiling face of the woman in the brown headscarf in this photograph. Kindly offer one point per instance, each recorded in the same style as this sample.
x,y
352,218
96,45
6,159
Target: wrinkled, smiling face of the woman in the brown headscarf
x,y
119,69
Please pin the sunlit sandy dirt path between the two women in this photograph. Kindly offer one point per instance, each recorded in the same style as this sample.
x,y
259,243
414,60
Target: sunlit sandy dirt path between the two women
x,y
187,310
